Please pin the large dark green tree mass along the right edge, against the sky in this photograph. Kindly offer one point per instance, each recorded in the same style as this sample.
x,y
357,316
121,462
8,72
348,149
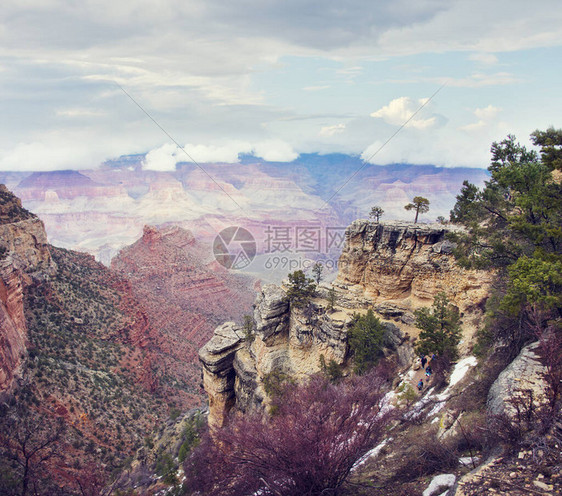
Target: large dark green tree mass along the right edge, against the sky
x,y
514,226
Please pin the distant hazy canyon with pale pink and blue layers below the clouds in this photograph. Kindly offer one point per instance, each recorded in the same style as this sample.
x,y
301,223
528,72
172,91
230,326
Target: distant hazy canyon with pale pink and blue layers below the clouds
x,y
102,210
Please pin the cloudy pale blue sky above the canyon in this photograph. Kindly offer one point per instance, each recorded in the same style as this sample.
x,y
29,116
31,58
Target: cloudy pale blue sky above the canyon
x,y
83,82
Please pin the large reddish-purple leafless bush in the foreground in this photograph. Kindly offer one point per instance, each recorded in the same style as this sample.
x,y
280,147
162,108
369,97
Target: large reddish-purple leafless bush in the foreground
x,y
320,430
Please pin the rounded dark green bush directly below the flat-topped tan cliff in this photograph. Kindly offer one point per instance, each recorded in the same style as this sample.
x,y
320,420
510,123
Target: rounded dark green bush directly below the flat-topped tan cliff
x,y
365,341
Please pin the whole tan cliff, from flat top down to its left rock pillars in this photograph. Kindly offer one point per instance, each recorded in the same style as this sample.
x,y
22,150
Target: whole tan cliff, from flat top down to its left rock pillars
x,y
393,268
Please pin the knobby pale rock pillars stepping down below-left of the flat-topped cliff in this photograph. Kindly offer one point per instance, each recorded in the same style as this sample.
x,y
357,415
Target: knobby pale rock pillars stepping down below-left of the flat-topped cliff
x,y
287,342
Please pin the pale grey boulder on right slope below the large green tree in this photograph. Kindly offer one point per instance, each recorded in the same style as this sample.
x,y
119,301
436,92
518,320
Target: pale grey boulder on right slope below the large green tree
x,y
522,378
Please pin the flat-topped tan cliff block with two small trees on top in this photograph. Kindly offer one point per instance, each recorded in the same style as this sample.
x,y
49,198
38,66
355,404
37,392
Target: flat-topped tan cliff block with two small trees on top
x,y
401,266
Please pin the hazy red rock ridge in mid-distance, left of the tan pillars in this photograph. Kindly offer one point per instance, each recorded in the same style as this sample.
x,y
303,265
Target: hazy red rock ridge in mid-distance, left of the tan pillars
x,y
185,295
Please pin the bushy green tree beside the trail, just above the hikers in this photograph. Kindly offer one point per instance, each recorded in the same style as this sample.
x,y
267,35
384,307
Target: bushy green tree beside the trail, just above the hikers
x,y
440,329
